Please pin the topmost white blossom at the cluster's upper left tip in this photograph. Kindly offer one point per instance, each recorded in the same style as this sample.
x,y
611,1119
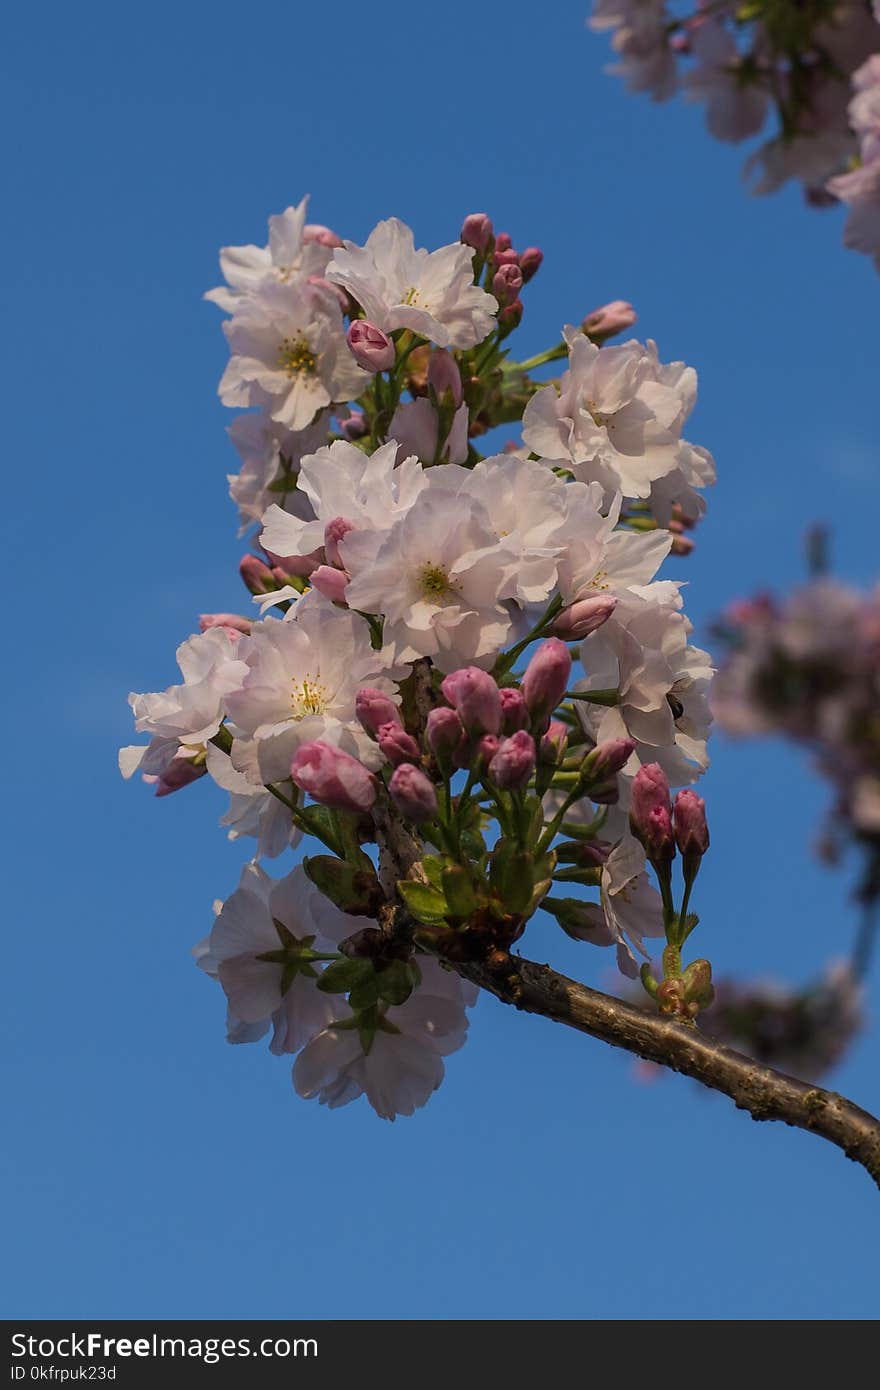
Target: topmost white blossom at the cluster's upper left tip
x,y
294,256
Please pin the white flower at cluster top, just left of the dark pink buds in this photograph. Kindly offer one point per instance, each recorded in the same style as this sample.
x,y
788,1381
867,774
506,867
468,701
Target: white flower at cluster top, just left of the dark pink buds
x,y
432,293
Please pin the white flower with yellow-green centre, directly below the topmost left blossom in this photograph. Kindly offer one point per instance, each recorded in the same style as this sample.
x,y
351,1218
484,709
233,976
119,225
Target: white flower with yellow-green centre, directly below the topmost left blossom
x,y
290,354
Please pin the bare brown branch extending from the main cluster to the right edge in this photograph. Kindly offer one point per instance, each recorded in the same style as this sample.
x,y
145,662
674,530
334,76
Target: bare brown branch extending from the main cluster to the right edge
x,y
764,1093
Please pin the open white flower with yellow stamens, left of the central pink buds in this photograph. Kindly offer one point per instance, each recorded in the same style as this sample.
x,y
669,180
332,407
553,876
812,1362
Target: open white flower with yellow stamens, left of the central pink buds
x,y
302,675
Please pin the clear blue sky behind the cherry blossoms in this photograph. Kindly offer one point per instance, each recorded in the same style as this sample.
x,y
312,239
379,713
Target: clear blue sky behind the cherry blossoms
x,y
152,1171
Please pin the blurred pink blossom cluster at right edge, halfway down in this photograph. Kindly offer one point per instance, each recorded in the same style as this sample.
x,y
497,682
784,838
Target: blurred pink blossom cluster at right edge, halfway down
x,y
808,668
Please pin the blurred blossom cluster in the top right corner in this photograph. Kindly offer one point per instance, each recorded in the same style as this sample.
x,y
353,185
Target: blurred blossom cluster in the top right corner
x,y
810,69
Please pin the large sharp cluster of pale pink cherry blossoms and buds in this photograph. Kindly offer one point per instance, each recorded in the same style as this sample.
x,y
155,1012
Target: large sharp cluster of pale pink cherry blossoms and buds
x,y
465,685
